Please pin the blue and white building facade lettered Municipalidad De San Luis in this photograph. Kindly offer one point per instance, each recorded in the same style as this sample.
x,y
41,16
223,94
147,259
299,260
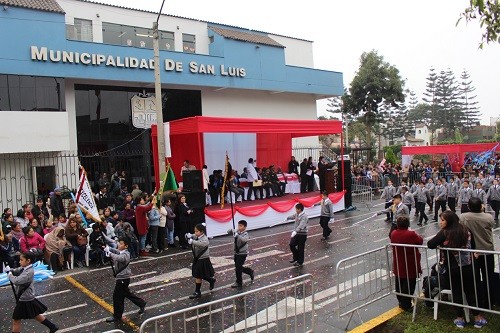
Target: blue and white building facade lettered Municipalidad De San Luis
x,y
69,69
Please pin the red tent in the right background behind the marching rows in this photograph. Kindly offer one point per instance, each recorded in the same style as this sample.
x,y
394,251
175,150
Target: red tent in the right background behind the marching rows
x,y
455,149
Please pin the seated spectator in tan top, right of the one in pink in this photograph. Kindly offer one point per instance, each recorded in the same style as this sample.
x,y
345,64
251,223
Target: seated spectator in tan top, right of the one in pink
x,y
57,249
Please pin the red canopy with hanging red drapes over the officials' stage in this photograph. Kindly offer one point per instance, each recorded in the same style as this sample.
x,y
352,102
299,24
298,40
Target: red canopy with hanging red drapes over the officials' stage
x,y
274,136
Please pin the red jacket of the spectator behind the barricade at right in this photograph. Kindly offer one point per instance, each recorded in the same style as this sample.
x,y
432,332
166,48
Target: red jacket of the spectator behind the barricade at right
x,y
406,260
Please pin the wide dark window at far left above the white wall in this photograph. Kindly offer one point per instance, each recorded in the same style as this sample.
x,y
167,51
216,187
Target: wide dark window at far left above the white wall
x,y
31,93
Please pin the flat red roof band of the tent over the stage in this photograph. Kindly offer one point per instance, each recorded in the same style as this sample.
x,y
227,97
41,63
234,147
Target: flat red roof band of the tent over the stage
x,y
296,128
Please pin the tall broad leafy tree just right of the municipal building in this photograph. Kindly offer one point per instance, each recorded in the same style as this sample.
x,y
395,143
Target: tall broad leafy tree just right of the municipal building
x,y
376,83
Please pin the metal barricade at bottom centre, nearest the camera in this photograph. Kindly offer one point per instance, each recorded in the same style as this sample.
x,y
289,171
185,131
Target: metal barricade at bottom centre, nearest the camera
x,y
287,306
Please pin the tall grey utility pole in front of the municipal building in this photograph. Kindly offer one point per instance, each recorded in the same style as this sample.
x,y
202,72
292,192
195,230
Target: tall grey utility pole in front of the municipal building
x,y
158,101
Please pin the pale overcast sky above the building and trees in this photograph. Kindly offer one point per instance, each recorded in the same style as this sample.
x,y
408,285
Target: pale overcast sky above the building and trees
x,y
411,35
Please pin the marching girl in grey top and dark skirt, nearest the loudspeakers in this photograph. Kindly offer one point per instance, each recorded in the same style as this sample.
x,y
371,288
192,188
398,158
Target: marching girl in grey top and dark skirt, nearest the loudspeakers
x,y
202,268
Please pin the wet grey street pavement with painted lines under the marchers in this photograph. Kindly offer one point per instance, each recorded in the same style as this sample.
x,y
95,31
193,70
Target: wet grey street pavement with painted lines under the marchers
x,y
165,282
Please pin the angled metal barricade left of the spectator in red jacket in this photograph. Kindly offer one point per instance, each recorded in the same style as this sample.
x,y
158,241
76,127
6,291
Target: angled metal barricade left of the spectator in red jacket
x,y
362,280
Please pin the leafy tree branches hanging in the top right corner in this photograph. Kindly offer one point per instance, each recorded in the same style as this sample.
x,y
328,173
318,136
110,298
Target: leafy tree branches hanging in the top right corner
x,y
488,13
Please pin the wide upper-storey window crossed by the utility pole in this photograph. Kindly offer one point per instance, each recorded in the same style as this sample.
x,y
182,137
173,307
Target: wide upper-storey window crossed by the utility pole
x,y
118,34
